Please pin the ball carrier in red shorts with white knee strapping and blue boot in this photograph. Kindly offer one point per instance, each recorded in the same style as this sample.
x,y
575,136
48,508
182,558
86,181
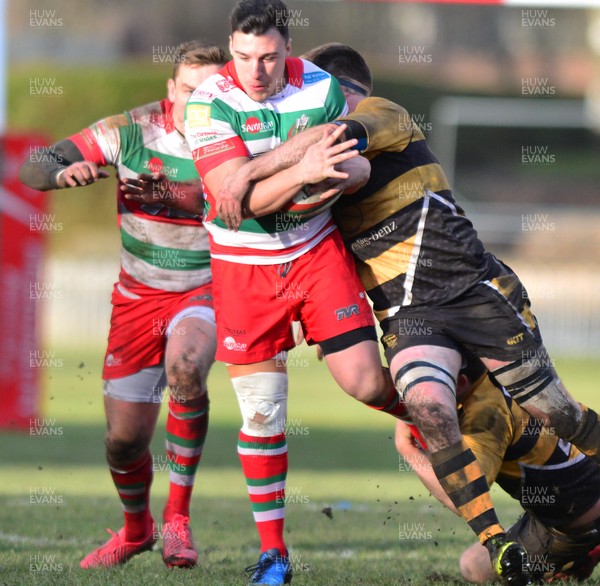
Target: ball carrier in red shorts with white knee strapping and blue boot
x,y
275,269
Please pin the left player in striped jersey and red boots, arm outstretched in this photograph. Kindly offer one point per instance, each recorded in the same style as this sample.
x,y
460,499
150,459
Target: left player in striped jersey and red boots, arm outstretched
x,y
162,326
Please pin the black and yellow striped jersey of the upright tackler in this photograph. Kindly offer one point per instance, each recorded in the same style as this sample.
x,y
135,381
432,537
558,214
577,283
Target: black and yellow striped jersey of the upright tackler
x,y
412,243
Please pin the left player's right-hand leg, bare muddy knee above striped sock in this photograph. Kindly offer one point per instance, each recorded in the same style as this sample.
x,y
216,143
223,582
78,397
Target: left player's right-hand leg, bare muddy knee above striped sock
x,y
189,354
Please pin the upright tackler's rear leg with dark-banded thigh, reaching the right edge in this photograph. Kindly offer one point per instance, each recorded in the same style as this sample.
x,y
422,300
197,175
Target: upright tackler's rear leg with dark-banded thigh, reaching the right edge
x,y
534,384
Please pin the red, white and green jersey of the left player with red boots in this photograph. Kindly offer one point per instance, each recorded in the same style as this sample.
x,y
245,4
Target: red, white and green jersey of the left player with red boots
x,y
161,248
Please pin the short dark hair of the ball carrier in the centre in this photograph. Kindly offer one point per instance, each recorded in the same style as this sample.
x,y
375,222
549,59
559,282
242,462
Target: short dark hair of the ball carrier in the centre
x,y
256,17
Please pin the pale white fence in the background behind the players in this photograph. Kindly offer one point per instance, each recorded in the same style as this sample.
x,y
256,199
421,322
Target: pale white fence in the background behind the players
x,y
566,301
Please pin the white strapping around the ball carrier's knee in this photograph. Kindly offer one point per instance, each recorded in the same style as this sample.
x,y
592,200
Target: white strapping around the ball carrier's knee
x,y
263,402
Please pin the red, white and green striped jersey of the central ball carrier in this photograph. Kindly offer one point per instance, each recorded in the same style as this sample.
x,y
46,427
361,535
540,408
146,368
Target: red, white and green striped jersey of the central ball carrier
x,y
222,122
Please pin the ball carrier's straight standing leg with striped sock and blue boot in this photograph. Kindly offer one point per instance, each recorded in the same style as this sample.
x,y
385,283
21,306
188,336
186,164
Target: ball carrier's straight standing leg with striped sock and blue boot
x,y
262,391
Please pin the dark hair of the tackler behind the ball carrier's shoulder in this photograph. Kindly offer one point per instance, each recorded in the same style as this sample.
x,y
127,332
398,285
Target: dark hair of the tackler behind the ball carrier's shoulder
x,y
343,62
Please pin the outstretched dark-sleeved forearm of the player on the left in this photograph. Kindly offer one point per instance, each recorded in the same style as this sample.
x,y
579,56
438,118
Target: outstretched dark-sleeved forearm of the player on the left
x,y
40,171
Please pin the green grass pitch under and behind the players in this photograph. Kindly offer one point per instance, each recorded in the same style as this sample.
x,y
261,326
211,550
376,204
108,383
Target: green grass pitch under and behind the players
x,y
341,456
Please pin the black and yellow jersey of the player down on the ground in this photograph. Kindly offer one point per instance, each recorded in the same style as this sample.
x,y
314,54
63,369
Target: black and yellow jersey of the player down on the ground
x,y
546,474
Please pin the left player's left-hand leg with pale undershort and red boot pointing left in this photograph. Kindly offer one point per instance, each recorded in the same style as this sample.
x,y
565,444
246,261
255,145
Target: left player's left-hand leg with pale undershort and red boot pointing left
x,y
131,418
